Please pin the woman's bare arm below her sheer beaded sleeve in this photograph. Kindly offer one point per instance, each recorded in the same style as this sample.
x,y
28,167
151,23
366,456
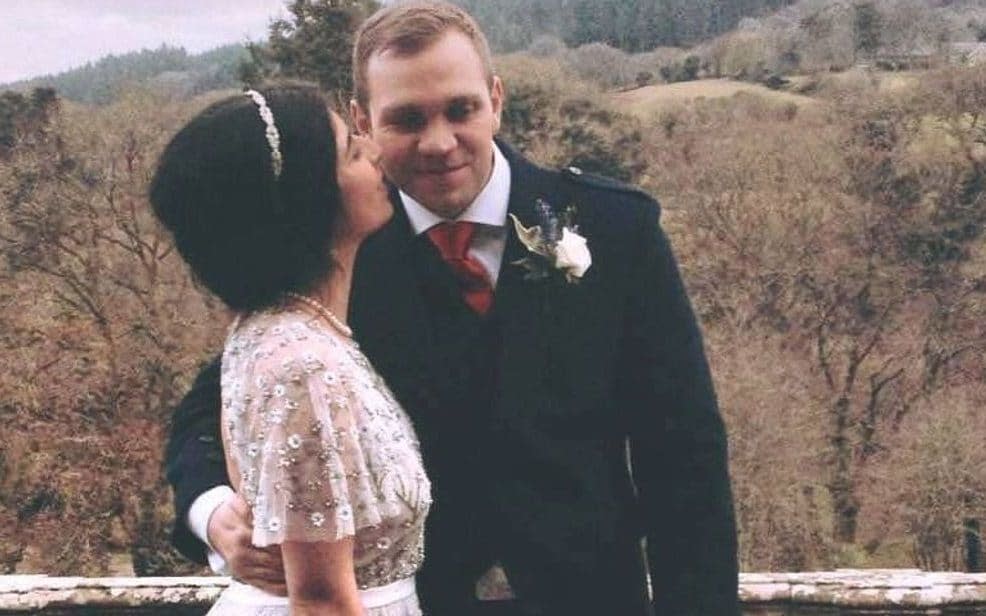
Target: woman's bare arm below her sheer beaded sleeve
x,y
321,578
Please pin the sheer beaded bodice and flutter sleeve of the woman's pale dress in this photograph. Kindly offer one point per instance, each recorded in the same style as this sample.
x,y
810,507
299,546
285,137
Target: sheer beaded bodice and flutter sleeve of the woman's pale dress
x,y
296,446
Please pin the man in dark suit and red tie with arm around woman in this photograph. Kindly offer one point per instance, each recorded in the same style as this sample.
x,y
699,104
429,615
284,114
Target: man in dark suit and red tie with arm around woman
x,y
526,393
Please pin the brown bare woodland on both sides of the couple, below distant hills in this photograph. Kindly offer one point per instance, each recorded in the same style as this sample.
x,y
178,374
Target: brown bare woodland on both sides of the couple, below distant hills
x,y
834,253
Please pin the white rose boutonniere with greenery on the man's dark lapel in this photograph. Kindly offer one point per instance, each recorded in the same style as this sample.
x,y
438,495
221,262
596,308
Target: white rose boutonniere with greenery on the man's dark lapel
x,y
555,245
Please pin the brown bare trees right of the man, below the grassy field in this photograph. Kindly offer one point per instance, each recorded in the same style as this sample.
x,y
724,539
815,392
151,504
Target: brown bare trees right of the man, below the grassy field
x,y
845,241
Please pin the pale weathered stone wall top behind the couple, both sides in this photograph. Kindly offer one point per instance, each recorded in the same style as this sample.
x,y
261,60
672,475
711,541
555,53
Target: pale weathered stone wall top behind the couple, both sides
x,y
836,593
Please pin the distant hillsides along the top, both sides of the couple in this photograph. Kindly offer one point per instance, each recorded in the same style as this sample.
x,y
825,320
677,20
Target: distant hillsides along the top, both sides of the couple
x,y
620,43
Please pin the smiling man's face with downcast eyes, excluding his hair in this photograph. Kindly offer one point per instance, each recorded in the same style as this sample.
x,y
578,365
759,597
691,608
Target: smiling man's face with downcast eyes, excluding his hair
x,y
433,115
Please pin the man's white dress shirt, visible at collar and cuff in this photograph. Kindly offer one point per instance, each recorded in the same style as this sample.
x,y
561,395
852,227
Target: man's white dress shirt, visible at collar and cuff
x,y
489,212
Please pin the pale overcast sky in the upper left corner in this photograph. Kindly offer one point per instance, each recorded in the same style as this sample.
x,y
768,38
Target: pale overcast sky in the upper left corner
x,y
38,37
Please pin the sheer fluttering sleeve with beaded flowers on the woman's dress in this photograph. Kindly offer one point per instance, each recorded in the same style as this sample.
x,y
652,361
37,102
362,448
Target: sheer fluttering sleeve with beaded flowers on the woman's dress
x,y
300,451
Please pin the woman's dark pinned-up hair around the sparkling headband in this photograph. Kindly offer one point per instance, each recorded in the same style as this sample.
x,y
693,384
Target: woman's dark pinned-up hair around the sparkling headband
x,y
250,235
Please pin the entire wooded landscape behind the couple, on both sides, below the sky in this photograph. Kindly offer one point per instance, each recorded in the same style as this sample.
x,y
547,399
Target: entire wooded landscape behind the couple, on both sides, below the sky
x,y
827,210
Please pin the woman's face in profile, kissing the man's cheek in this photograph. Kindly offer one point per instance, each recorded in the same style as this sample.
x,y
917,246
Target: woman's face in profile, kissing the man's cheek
x,y
365,202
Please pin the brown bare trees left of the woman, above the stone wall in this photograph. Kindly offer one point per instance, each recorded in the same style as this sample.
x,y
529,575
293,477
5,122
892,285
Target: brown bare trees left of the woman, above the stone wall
x,y
102,328
